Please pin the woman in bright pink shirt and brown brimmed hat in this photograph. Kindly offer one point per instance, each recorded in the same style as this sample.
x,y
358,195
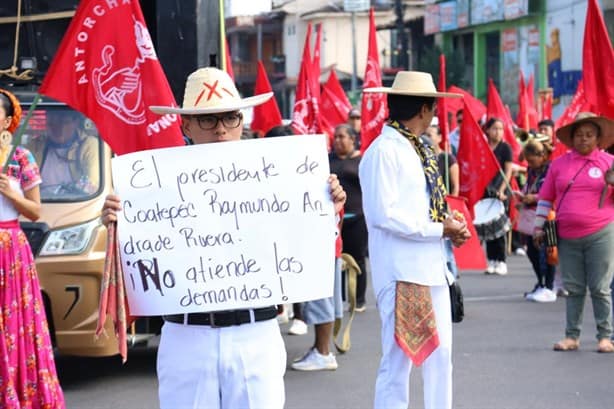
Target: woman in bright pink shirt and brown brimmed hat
x,y
581,184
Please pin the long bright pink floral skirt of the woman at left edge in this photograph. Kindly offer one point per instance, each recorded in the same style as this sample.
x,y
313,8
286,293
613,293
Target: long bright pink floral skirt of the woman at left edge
x,y
27,370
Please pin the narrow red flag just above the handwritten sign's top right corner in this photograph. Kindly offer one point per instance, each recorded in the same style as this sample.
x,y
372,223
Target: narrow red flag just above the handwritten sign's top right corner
x,y
305,116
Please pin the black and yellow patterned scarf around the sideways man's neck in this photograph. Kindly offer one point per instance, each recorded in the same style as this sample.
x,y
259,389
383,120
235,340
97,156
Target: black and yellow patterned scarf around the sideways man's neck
x,y
438,206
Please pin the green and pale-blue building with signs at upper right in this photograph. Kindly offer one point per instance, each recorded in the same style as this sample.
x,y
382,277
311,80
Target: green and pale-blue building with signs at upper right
x,y
501,38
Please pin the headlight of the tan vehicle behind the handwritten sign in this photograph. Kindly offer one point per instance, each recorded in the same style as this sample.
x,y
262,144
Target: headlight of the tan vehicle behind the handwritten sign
x,y
71,240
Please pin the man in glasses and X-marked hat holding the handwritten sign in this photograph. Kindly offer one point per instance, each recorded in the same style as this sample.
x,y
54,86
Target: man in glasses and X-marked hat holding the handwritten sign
x,y
202,362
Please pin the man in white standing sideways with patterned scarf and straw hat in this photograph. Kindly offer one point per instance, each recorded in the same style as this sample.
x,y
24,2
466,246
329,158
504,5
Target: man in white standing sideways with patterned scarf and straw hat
x,y
407,221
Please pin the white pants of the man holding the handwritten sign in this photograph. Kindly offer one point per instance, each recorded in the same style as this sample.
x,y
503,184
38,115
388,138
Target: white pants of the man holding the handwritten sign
x,y
234,367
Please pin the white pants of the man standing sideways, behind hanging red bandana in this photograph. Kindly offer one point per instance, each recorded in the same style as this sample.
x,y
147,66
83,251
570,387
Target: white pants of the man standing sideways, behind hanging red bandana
x,y
392,384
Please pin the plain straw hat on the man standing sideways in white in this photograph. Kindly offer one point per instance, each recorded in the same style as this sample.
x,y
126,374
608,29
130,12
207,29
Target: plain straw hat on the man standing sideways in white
x,y
413,83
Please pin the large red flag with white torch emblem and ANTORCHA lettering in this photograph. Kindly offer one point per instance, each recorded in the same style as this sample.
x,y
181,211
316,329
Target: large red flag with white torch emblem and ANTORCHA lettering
x,y
106,68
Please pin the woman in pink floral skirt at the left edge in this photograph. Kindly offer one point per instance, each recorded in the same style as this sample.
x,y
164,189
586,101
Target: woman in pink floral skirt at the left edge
x,y
27,370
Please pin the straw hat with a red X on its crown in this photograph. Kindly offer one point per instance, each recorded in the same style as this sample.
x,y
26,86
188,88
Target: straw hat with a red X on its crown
x,y
209,91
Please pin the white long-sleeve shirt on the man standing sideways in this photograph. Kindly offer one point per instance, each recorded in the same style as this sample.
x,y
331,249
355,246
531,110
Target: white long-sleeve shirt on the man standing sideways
x,y
404,244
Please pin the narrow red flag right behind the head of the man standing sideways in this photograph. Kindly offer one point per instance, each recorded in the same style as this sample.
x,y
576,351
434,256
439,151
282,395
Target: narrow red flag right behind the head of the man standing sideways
x,y
374,109
